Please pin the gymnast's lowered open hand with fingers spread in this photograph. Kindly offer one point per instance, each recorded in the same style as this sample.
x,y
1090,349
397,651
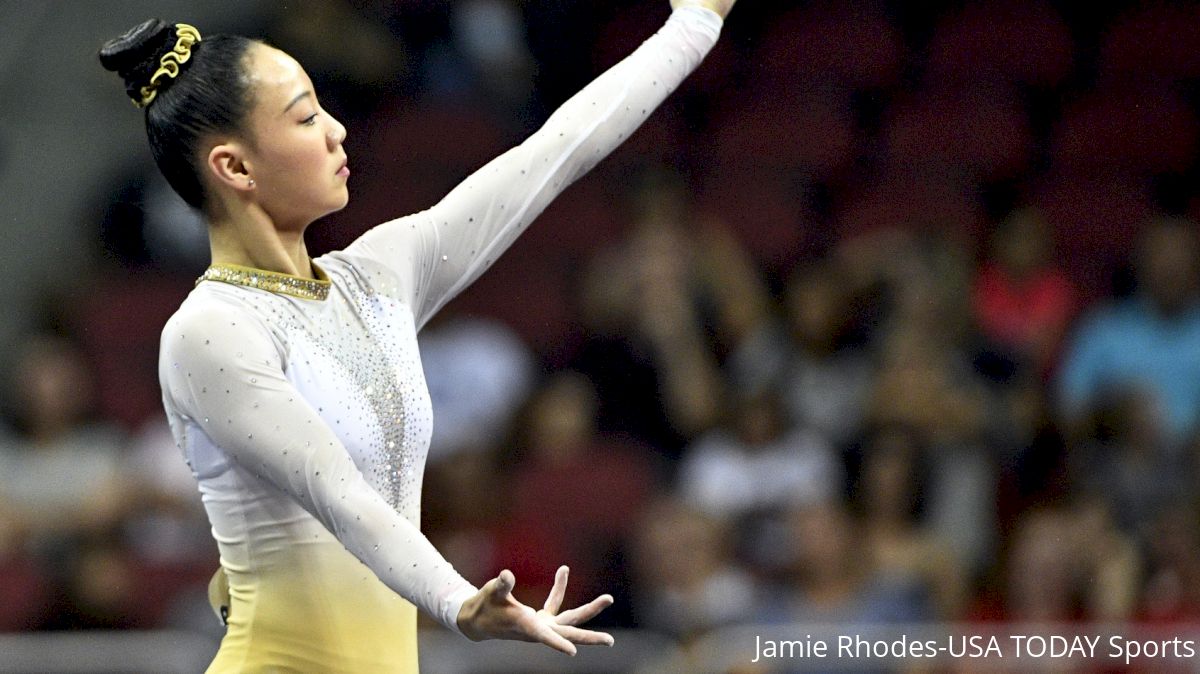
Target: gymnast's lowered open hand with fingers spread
x,y
496,615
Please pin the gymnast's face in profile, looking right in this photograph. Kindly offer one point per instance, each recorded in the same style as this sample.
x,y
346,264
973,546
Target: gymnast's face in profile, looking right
x,y
297,159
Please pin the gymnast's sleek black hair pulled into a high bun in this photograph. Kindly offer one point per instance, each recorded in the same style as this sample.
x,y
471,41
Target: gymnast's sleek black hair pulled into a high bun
x,y
211,95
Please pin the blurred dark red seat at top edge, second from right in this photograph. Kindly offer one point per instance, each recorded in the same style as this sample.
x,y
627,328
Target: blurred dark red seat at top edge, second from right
x,y
1017,41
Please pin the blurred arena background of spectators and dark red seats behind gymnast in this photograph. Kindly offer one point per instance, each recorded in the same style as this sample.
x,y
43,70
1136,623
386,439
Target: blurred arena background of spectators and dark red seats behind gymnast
x,y
891,316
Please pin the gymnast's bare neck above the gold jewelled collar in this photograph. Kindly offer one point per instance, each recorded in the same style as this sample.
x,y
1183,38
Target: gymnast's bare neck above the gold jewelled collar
x,y
253,240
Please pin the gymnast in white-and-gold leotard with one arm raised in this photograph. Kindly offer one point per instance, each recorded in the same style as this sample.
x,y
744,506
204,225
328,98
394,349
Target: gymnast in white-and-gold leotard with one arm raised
x,y
293,384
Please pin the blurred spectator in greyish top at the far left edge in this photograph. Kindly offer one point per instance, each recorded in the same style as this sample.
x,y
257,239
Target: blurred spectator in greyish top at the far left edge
x,y
63,497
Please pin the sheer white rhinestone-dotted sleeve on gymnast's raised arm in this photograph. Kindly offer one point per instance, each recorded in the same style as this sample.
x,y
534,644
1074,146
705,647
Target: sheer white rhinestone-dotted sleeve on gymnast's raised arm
x,y
430,257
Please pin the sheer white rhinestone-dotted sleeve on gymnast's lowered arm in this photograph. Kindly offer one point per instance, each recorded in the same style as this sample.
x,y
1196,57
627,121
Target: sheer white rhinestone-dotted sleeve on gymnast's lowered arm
x,y
224,371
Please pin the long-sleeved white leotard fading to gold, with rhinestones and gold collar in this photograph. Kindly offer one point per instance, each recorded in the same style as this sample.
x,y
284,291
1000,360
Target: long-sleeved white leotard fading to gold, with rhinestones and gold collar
x,y
303,411
